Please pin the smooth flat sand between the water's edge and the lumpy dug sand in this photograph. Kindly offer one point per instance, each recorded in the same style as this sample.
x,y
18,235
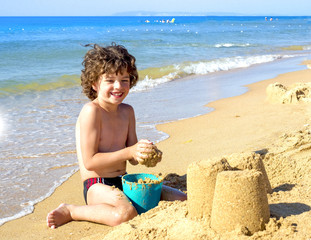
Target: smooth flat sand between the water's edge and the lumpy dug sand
x,y
233,128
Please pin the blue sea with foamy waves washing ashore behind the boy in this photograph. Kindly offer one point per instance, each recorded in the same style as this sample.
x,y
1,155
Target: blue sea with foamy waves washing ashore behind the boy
x,y
184,62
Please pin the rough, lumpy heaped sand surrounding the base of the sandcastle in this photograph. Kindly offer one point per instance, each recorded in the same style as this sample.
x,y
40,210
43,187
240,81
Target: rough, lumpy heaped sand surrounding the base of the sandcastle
x,y
288,167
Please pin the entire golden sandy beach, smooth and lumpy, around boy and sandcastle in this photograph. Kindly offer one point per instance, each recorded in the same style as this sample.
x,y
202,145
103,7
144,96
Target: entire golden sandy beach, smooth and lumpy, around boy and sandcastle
x,y
261,120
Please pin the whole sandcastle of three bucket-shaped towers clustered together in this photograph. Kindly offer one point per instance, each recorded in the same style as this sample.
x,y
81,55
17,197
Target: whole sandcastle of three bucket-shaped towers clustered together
x,y
229,193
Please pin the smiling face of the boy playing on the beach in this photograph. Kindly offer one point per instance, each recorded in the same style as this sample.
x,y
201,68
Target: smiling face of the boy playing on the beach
x,y
112,88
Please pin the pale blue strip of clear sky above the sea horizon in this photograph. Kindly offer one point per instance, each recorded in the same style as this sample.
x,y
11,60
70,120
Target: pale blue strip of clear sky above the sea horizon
x,y
108,7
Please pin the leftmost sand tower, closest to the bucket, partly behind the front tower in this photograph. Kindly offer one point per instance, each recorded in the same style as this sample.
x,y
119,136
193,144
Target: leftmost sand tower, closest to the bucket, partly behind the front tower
x,y
201,179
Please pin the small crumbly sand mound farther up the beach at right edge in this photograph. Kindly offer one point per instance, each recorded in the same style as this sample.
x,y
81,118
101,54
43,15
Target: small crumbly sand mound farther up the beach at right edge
x,y
299,92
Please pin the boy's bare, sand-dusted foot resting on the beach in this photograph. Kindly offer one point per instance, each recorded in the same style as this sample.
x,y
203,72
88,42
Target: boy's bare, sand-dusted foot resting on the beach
x,y
59,216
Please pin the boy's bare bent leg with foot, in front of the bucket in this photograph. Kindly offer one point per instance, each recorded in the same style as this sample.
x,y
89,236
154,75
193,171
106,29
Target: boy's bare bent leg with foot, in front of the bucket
x,y
106,205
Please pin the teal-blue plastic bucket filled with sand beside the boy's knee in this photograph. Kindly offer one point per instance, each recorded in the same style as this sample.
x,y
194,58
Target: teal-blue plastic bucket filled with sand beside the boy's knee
x,y
144,196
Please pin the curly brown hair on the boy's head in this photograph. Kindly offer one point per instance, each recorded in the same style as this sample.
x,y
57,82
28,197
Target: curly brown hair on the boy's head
x,y
100,60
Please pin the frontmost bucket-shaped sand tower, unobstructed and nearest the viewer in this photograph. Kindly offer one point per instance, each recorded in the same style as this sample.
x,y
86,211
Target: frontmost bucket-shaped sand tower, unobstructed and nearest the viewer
x,y
240,200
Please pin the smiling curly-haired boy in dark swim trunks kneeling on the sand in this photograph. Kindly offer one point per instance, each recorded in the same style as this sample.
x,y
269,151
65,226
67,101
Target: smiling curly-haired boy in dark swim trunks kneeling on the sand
x,y
106,140
